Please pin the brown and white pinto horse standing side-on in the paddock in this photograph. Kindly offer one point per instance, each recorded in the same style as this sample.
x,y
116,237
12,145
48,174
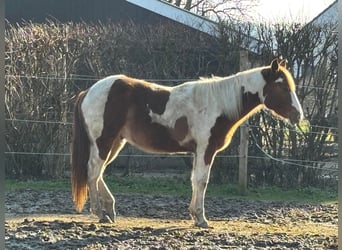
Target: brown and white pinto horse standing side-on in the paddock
x,y
198,117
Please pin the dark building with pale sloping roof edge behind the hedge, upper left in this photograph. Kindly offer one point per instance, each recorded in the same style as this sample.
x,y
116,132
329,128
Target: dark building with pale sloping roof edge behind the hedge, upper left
x,y
142,12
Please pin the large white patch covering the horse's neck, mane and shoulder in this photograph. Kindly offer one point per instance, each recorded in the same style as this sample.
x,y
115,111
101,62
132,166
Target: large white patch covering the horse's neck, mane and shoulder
x,y
203,101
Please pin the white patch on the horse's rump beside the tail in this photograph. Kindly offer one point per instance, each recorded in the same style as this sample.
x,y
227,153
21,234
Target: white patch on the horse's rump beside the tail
x,y
93,105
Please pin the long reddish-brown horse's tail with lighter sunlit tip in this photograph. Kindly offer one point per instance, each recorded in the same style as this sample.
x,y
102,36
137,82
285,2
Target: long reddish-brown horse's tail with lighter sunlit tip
x,y
80,150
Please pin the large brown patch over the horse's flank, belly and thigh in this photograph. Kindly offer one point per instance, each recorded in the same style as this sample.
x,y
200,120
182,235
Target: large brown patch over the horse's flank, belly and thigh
x,y
126,115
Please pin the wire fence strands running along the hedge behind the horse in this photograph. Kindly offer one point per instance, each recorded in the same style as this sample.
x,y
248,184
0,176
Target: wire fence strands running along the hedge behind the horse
x,y
332,165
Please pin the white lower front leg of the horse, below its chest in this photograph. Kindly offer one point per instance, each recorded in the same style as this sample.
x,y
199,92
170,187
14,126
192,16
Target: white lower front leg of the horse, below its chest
x,y
199,178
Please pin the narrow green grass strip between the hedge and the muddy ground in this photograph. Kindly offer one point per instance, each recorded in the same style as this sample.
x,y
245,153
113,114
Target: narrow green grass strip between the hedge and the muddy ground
x,y
180,187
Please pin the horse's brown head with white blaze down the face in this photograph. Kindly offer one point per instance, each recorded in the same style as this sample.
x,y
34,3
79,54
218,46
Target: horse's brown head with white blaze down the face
x,y
279,92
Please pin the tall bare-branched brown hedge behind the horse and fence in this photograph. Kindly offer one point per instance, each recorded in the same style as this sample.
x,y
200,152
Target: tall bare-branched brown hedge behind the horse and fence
x,y
48,64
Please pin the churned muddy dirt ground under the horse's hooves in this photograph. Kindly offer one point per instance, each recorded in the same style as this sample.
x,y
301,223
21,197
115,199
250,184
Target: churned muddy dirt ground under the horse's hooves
x,y
47,220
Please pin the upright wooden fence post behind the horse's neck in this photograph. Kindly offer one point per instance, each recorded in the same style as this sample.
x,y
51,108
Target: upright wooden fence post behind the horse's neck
x,y
243,148
